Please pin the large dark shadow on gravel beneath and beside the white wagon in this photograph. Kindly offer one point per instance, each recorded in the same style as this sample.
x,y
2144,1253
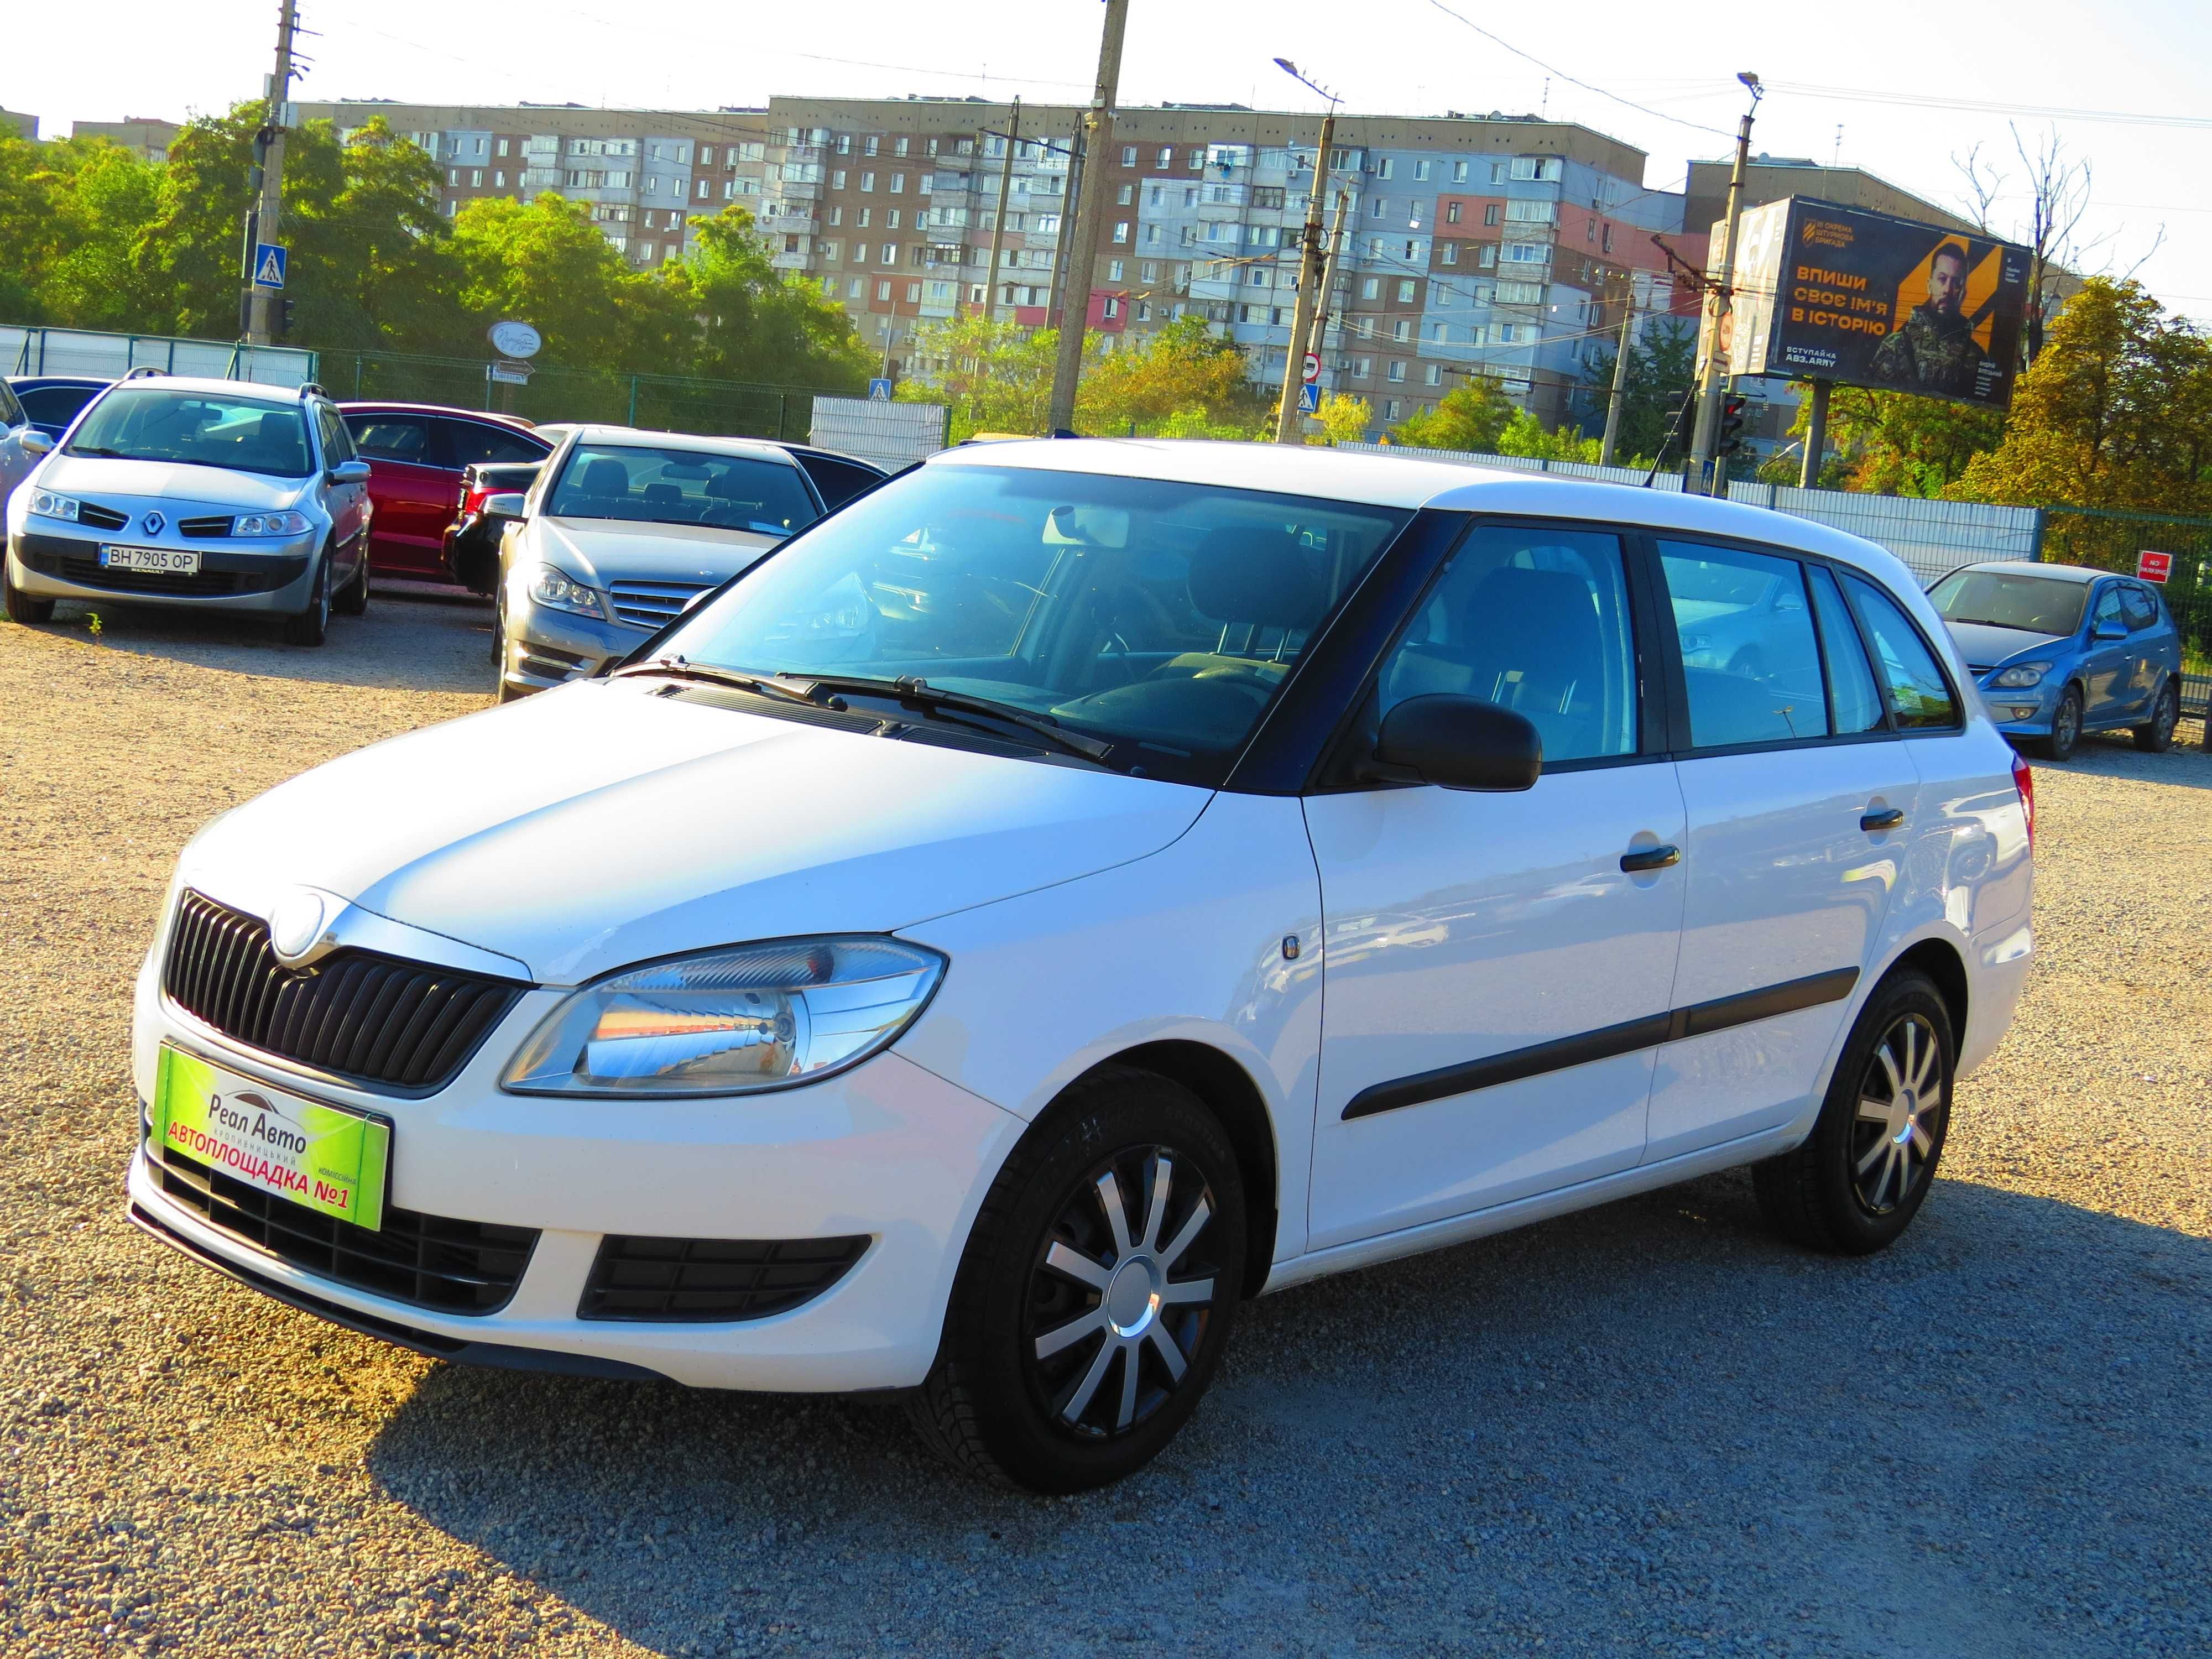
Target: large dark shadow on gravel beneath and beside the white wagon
x,y
1640,1428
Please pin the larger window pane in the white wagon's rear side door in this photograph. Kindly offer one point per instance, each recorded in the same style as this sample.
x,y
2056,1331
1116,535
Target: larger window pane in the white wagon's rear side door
x,y
1749,658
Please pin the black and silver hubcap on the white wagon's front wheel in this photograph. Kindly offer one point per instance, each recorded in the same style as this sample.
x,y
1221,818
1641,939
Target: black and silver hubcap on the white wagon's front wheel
x,y
1123,1293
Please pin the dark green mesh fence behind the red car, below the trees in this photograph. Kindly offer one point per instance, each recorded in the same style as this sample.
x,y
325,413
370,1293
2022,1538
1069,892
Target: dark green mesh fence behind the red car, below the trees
x,y
654,401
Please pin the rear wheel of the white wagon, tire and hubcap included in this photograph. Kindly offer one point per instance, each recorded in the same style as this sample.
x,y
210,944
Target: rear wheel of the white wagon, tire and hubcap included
x,y
1870,1160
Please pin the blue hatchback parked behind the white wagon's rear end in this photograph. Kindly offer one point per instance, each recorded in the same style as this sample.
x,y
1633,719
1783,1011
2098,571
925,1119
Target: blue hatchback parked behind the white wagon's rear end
x,y
2060,651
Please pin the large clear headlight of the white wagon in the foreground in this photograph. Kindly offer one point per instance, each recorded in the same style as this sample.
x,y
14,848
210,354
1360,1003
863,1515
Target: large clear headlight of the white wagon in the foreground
x,y
731,1023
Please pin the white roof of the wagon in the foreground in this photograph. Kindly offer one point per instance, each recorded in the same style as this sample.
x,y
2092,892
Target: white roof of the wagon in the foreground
x,y
1412,481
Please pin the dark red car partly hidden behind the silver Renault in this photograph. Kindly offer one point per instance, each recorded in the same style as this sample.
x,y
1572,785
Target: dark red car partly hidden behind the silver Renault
x,y
417,455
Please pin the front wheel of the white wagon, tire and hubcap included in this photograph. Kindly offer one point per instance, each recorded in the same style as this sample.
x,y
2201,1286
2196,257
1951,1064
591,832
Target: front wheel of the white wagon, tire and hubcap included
x,y
1047,1260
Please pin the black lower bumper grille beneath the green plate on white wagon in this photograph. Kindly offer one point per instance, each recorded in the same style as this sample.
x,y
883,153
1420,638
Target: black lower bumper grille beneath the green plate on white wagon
x,y
424,1260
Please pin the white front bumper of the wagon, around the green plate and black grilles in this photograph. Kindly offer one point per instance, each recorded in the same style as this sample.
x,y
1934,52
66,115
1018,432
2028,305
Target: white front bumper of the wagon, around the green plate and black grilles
x,y
888,1151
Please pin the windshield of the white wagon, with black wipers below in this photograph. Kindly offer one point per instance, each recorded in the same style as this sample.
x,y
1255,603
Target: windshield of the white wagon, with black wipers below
x,y
1156,616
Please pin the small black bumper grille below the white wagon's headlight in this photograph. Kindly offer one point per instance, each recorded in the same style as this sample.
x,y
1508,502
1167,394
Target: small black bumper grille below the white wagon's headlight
x,y
711,1280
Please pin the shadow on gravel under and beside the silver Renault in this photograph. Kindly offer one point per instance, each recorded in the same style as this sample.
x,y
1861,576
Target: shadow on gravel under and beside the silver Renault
x,y
410,640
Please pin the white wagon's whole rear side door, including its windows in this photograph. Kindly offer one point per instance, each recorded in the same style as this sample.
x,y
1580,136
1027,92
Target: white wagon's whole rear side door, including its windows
x,y
1799,802
